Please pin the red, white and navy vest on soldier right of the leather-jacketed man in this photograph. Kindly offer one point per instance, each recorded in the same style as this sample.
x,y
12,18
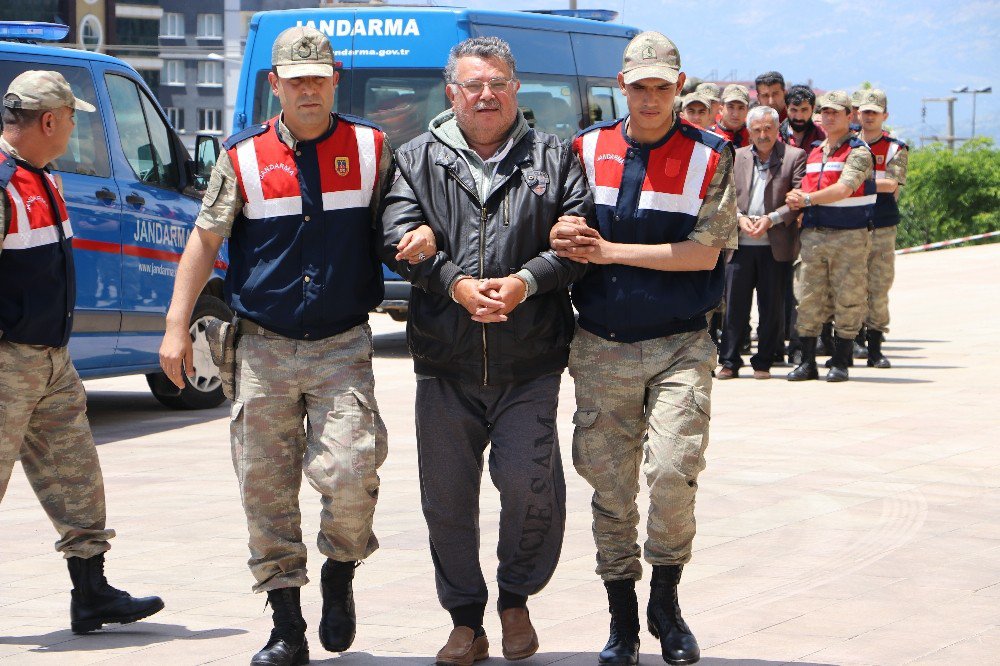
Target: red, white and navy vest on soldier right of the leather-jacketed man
x,y
648,194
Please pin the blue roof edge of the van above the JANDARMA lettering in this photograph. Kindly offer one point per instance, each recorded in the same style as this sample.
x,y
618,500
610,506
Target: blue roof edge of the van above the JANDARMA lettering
x,y
514,19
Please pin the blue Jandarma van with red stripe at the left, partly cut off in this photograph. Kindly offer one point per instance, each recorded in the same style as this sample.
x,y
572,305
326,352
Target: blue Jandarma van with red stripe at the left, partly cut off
x,y
133,194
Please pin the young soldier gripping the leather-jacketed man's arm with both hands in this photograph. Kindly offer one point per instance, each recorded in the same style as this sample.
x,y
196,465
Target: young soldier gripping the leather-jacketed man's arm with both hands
x,y
641,358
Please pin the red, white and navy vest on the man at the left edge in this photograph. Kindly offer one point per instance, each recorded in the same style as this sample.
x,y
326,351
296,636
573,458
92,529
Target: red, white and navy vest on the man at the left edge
x,y
37,277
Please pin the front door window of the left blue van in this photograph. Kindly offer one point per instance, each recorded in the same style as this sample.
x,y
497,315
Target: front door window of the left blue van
x,y
144,135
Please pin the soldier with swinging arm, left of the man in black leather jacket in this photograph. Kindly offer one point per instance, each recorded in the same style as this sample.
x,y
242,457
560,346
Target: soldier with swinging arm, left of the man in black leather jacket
x,y
297,198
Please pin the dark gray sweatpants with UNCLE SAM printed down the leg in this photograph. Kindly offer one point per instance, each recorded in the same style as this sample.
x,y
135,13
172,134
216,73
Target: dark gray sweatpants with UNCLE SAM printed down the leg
x,y
455,422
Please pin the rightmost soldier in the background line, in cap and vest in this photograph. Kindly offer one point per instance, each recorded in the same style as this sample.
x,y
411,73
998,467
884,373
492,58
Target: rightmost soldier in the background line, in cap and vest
x,y
891,157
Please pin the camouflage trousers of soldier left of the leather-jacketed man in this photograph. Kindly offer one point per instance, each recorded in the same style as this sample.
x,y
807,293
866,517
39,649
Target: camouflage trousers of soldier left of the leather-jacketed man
x,y
306,406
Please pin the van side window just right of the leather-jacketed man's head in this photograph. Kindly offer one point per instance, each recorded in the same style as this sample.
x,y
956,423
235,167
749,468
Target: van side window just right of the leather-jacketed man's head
x,y
552,101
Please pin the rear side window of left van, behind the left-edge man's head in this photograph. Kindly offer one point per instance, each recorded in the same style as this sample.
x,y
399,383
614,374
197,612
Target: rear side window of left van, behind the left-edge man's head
x,y
87,152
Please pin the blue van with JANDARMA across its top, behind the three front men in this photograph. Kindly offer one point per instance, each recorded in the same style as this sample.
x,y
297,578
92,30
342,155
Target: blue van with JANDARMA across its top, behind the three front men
x,y
393,59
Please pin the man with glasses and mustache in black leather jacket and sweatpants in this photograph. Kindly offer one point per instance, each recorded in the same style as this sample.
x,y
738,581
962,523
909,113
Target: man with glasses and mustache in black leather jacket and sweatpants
x,y
489,331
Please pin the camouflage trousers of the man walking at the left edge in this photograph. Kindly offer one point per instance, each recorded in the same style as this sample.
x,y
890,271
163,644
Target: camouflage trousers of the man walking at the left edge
x,y
43,422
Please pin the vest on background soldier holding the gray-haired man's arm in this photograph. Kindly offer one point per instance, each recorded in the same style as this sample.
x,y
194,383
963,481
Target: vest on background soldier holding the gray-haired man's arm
x,y
854,212
